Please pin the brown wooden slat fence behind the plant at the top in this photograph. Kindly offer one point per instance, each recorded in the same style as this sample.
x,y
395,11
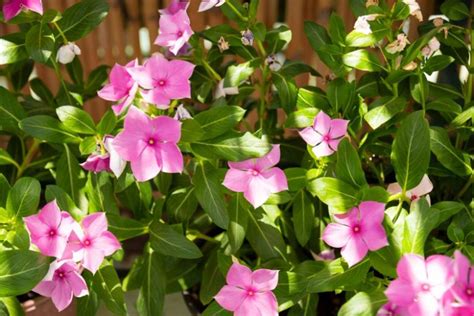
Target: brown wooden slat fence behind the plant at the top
x,y
132,25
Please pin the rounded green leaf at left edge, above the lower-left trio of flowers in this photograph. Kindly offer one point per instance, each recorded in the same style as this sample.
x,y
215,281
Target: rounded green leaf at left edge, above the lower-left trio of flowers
x,y
23,198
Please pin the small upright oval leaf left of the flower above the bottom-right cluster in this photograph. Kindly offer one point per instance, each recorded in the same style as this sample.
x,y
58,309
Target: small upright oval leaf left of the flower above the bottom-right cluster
x,y
303,217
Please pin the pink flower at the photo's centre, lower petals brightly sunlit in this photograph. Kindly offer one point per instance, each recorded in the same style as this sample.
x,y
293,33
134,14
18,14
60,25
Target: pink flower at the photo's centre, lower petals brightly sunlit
x,y
256,177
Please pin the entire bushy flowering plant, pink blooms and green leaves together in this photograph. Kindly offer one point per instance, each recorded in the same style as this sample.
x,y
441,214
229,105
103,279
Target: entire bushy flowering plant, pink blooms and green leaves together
x,y
256,194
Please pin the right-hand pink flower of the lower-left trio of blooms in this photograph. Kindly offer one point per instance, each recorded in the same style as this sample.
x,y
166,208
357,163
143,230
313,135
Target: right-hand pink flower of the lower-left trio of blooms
x,y
92,243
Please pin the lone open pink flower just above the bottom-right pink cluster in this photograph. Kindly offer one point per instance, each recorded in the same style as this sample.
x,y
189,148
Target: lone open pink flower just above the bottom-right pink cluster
x,y
357,231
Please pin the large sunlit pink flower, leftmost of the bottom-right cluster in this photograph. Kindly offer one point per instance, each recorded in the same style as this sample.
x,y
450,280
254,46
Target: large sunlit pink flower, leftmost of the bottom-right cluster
x,y
420,284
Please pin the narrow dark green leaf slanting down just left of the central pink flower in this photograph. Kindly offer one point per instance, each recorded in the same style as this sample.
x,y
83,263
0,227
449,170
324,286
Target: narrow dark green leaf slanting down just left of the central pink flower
x,y
208,192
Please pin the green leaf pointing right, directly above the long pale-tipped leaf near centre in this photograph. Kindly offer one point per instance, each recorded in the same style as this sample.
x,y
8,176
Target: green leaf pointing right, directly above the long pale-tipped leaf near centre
x,y
219,120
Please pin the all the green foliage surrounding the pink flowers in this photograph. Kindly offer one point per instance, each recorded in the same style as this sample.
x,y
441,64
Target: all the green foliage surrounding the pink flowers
x,y
402,126
